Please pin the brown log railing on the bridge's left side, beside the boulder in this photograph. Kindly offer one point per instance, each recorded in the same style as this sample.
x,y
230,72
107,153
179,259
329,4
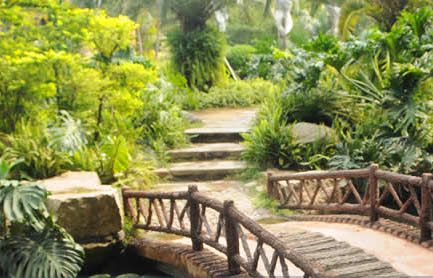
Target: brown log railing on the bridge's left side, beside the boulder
x,y
233,218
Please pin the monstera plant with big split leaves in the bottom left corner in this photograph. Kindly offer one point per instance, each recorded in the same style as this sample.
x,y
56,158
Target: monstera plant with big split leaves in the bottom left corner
x,y
31,244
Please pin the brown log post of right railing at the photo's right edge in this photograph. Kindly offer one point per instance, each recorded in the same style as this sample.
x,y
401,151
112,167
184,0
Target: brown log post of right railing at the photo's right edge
x,y
426,205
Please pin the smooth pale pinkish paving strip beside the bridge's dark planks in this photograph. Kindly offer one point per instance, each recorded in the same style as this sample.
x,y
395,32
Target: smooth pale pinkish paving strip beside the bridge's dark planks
x,y
404,256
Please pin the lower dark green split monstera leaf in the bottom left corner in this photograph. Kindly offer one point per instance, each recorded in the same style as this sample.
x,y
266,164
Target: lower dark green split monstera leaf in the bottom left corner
x,y
49,253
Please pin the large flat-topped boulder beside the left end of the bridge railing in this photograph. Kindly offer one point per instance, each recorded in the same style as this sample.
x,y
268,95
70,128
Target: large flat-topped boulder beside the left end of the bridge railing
x,y
87,210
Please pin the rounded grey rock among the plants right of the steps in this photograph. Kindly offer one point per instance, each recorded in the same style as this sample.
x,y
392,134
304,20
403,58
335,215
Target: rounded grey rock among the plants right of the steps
x,y
308,132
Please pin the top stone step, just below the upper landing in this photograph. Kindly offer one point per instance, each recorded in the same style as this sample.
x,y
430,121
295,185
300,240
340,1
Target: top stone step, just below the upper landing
x,y
216,134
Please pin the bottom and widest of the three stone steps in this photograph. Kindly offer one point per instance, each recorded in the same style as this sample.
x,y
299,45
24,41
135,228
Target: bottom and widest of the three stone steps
x,y
202,170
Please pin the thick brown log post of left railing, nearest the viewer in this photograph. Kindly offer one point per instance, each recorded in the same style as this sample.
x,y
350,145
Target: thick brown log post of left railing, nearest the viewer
x,y
232,237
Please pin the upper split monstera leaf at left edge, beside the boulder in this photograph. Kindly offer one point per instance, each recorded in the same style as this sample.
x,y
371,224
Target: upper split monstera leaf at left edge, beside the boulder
x,y
22,201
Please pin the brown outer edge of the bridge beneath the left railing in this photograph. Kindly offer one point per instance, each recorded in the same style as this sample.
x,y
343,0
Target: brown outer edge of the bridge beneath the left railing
x,y
195,263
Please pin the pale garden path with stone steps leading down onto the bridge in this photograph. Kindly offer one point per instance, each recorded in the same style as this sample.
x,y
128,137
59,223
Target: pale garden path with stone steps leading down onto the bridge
x,y
215,154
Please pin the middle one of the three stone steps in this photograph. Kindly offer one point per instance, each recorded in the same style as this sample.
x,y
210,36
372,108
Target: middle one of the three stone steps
x,y
208,151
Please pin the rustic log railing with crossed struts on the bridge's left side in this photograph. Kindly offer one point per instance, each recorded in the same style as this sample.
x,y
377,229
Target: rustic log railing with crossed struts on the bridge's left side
x,y
208,221
